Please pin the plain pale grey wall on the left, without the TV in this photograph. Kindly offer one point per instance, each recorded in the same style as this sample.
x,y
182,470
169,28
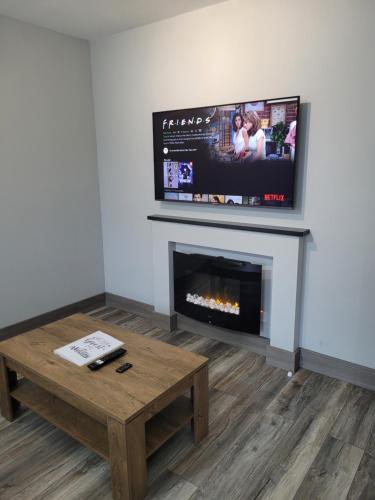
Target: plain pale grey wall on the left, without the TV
x,y
50,235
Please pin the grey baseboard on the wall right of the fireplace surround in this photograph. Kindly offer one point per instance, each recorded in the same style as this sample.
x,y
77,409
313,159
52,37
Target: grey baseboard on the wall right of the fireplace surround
x,y
338,368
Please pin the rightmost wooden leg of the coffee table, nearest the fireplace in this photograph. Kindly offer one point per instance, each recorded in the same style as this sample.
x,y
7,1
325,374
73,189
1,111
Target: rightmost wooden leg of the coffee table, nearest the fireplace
x,y
200,404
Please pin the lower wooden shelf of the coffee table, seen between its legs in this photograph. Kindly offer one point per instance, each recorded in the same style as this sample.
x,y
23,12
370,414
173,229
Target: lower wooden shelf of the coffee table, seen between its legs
x,y
92,433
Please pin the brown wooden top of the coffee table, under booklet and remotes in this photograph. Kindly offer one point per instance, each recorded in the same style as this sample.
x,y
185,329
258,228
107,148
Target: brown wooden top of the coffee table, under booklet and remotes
x,y
158,368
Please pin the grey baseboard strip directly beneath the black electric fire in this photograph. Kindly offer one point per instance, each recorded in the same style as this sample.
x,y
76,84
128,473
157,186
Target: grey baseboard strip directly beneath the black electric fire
x,y
246,341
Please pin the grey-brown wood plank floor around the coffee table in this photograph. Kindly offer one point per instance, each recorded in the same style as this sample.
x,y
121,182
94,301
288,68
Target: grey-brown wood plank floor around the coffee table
x,y
271,437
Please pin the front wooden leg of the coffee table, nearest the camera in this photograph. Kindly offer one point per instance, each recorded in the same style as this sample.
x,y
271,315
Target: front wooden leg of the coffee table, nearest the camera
x,y
127,450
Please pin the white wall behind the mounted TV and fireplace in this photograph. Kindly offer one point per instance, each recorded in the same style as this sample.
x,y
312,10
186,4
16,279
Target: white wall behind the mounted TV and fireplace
x,y
243,50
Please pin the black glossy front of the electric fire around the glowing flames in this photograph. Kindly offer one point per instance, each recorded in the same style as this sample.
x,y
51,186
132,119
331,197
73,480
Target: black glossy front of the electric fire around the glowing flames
x,y
250,281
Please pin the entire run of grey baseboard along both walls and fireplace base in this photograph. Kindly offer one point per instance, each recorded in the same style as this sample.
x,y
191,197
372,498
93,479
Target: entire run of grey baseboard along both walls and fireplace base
x,y
291,361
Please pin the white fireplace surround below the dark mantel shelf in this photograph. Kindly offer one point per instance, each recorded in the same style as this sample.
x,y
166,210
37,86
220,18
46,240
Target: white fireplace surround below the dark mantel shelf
x,y
287,256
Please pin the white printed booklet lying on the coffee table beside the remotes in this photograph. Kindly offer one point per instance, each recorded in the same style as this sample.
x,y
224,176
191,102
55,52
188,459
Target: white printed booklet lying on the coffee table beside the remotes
x,y
87,349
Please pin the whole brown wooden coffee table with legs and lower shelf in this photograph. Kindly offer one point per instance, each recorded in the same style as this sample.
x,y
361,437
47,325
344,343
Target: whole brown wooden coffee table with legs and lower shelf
x,y
122,417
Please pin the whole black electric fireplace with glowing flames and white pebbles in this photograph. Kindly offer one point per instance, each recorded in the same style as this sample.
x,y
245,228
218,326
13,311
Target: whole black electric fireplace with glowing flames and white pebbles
x,y
219,291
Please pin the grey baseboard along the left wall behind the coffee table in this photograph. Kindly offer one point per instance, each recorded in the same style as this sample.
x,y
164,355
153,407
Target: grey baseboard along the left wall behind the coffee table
x,y
48,317
